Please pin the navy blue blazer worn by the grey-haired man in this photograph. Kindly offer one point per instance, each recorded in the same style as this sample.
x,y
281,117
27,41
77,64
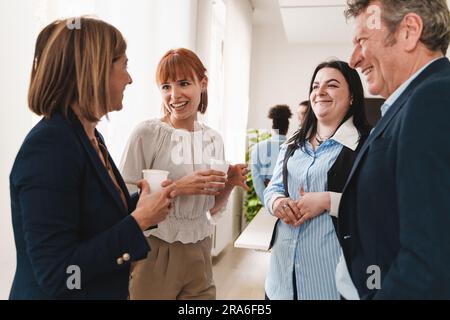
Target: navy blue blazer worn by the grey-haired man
x,y
395,209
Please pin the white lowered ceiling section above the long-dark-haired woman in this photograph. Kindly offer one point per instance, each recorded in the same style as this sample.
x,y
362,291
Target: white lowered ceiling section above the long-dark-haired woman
x,y
306,21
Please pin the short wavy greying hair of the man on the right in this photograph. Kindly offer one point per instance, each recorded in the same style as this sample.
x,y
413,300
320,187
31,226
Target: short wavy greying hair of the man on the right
x,y
434,13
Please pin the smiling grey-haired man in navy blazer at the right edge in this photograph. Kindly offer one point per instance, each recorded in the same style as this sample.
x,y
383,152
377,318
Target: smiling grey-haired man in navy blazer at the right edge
x,y
394,215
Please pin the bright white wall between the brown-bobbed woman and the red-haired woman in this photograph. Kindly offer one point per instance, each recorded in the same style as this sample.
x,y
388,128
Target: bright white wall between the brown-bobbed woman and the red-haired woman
x,y
151,28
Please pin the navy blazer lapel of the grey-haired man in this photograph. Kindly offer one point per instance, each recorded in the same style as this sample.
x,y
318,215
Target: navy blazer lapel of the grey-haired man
x,y
393,111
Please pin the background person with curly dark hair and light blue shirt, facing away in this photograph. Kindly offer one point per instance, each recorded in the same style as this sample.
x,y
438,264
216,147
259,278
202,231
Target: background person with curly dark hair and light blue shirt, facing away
x,y
264,154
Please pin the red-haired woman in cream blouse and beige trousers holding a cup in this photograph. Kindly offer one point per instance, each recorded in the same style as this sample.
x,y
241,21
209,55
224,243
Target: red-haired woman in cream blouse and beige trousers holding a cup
x,y
179,264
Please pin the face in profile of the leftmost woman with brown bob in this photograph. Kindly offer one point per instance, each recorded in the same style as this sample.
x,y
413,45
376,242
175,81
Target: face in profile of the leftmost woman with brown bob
x,y
119,79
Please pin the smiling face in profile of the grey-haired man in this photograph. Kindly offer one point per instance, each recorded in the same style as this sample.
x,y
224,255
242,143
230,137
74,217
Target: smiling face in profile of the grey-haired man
x,y
375,58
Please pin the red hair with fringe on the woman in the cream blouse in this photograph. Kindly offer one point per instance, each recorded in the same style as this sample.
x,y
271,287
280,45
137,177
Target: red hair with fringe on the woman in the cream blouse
x,y
180,63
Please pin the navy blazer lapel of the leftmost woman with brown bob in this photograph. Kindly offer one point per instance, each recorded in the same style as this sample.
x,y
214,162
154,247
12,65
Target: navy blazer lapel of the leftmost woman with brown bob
x,y
97,163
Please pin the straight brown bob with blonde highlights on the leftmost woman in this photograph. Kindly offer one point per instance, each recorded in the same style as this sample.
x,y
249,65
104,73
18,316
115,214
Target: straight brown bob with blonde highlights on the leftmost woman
x,y
73,67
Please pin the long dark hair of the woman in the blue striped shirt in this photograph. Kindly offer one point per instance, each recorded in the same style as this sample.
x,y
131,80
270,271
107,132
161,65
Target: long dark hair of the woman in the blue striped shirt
x,y
309,127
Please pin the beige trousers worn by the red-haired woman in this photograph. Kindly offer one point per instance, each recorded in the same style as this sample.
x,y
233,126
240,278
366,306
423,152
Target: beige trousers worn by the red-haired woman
x,y
174,271
